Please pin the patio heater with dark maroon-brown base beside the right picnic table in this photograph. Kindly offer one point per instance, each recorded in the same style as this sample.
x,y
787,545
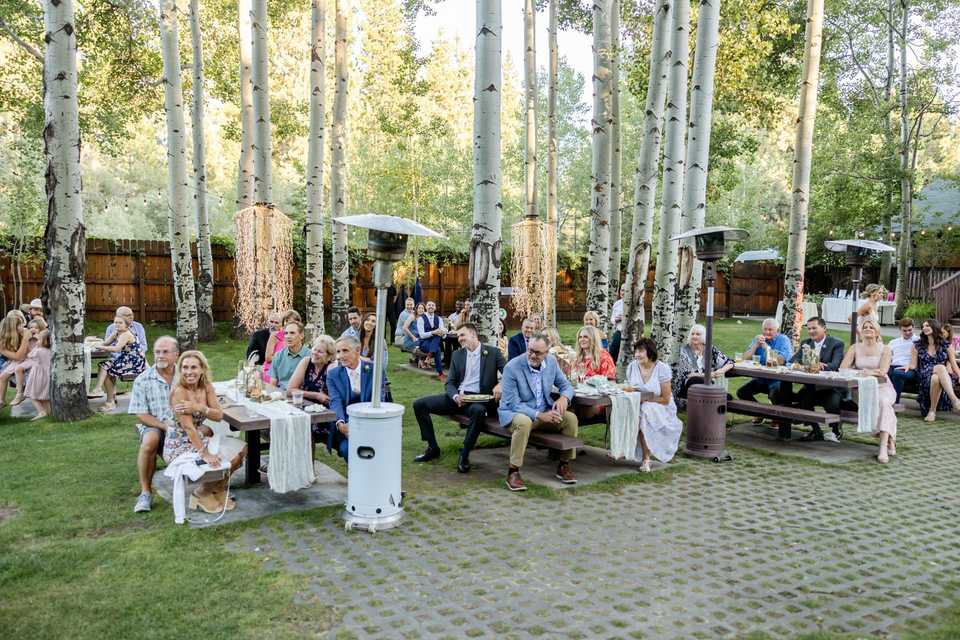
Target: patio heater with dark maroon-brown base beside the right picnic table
x,y
707,403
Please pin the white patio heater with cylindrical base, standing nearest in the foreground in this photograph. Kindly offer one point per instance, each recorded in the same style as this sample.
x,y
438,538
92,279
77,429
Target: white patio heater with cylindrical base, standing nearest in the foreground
x,y
374,500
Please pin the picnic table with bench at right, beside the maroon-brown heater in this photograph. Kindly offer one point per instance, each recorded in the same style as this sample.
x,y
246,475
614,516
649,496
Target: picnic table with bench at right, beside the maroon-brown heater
x,y
787,415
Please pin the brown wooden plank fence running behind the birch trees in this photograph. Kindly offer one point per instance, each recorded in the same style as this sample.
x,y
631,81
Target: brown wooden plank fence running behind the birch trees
x,y
138,274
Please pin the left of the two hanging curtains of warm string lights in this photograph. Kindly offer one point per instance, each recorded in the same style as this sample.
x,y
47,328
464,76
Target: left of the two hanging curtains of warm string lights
x,y
264,264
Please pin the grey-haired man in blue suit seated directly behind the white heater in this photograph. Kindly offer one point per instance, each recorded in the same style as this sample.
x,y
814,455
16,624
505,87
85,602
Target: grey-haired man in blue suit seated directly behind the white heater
x,y
348,383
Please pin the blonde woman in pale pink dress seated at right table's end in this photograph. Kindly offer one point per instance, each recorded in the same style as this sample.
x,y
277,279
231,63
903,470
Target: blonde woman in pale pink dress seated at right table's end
x,y
872,357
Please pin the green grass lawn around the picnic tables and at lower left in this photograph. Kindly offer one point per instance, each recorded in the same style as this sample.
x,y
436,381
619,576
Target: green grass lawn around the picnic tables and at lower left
x,y
76,562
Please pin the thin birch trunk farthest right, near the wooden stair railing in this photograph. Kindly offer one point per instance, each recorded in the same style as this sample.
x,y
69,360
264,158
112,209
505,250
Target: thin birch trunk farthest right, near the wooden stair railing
x,y
906,181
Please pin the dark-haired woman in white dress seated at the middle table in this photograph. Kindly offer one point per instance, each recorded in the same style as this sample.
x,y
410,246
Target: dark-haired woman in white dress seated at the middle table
x,y
660,427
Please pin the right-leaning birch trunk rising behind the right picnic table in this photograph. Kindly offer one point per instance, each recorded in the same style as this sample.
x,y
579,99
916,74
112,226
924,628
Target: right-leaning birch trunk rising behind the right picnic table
x,y
803,154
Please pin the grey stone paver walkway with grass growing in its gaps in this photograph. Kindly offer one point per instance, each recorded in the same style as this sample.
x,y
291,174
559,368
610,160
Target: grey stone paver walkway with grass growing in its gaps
x,y
765,543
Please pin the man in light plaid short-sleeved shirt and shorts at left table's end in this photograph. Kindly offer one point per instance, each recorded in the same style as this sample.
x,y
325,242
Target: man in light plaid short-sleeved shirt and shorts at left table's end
x,y
150,402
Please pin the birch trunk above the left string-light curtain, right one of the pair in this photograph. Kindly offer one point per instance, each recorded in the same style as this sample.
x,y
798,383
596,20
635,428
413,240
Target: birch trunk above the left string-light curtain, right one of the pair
x,y
262,142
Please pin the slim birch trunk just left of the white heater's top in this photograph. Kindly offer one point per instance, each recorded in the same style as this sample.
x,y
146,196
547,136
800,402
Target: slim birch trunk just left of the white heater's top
x,y
338,167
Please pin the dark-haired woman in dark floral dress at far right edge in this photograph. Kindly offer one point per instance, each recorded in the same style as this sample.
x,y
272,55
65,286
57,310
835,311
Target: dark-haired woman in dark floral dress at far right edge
x,y
934,361
